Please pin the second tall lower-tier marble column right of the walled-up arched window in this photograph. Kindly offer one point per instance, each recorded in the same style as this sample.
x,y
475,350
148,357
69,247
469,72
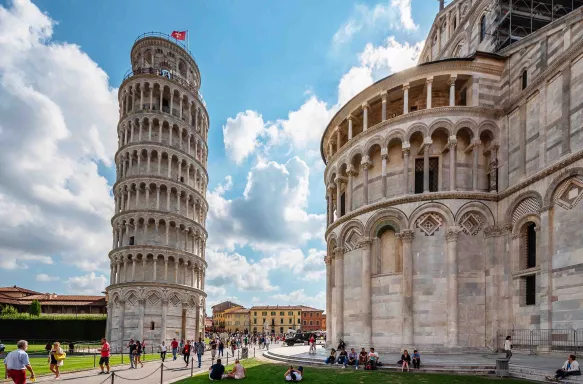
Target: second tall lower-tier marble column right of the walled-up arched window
x,y
451,238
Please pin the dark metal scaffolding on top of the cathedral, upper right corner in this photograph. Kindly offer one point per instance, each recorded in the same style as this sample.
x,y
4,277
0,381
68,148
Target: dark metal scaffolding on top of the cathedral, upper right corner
x,y
516,19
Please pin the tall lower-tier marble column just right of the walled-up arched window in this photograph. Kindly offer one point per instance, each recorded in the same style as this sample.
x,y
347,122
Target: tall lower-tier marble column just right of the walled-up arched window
x,y
406,237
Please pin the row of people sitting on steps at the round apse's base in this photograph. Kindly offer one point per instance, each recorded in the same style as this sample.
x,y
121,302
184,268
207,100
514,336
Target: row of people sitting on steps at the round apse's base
x,y
369,360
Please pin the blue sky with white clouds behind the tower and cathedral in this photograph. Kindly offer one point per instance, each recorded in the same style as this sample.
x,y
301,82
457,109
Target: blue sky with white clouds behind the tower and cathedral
x,y
273,73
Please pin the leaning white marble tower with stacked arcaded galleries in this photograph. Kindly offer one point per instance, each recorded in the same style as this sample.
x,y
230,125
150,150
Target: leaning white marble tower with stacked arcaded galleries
x,y
158,265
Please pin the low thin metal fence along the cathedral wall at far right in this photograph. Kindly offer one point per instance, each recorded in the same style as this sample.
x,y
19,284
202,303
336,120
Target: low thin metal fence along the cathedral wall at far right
x,y
543,340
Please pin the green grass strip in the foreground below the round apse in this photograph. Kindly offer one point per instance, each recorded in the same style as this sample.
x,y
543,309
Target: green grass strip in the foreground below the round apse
x,y
265,373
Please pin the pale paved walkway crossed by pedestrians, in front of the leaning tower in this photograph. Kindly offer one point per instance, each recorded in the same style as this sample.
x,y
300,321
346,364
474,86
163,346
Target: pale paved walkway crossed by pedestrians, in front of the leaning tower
x,y
150,374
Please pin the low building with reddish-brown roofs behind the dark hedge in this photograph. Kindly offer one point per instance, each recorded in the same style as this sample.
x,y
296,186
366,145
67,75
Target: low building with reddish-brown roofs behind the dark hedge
x,y
51,303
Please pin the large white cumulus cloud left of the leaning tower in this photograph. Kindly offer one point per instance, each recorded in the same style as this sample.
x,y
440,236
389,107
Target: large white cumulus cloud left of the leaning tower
x,y
57,120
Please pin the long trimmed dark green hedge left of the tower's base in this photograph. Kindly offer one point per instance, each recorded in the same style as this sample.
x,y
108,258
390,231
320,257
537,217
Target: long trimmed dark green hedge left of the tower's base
x,y
53,328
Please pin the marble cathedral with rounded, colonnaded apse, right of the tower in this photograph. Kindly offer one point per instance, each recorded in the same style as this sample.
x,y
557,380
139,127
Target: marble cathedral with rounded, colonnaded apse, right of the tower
x,y
454,187
